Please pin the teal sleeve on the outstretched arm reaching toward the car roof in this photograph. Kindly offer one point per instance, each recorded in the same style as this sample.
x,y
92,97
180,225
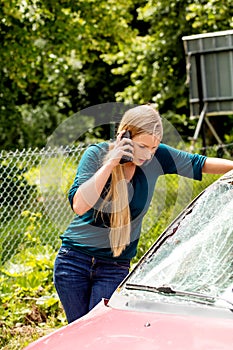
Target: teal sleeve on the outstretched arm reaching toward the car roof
x,y
174,161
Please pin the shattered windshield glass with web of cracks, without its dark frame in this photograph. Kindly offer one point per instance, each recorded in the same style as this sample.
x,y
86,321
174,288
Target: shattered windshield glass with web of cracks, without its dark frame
x,y
199,256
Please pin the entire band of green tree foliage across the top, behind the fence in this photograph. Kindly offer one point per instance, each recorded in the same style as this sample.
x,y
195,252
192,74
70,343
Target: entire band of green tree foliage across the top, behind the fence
x,y
60,57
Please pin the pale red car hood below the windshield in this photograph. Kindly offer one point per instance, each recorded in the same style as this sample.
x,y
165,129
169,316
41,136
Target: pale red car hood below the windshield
x,y
107,328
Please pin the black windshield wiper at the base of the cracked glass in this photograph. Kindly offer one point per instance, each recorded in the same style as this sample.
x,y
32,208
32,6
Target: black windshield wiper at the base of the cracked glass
x,y
166,289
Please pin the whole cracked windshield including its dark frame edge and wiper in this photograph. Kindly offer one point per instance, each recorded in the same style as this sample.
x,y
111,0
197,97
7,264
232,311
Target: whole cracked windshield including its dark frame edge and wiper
x,y
187,264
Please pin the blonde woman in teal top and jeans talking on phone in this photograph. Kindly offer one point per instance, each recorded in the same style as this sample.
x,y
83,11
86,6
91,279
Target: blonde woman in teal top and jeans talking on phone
x,y
110,199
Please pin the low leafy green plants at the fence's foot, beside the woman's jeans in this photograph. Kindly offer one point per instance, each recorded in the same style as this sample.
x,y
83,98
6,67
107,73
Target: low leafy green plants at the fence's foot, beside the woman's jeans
x,y
27,293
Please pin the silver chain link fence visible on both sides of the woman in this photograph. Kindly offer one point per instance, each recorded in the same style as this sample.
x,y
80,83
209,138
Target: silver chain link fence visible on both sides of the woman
x,y
33,195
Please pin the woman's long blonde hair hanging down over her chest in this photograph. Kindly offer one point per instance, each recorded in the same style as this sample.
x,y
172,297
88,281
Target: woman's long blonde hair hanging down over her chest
x,y
142,119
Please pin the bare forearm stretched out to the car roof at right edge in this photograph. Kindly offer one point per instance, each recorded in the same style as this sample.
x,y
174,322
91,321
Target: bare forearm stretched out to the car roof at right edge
x,y
217,166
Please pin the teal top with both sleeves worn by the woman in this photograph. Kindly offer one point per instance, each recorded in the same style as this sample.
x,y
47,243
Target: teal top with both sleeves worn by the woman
x,y
89,233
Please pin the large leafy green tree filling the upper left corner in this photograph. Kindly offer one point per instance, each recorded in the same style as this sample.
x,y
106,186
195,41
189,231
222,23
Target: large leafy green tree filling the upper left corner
x,y
51,57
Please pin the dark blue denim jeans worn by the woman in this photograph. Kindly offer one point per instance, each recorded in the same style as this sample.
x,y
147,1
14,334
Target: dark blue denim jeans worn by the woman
x,y
82,281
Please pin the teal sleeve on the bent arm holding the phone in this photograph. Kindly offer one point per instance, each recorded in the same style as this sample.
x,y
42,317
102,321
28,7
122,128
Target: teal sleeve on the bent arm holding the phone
x,y
90,162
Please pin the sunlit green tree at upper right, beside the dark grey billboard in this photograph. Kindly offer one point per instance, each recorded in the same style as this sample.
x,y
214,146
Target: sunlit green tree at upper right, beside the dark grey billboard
x,y
155,60
